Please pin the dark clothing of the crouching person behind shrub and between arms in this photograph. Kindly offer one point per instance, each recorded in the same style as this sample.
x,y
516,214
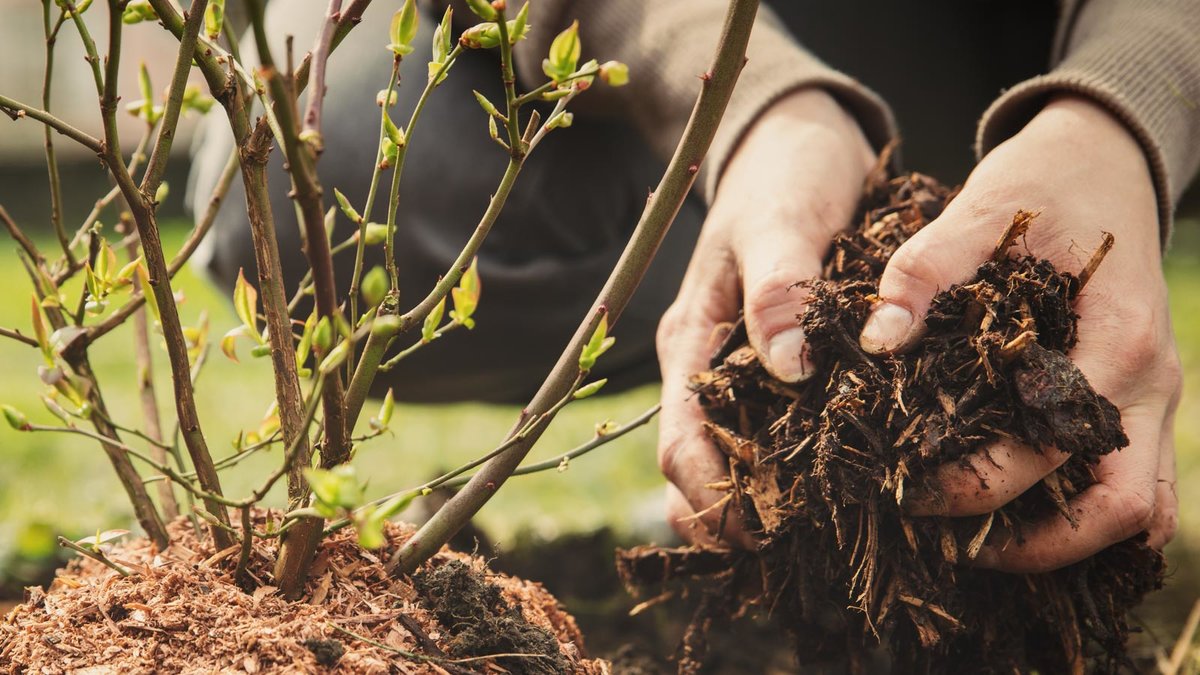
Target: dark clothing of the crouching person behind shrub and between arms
x,y
581,193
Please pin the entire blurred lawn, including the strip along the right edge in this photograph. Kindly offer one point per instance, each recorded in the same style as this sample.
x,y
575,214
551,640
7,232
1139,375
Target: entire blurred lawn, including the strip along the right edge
x,y
55,483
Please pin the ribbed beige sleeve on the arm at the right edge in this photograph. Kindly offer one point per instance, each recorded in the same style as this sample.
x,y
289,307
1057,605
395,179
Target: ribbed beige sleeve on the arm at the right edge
x,y
1138,58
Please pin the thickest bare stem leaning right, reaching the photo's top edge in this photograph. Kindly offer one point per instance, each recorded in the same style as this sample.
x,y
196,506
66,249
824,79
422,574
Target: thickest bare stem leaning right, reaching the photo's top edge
x,y
717,86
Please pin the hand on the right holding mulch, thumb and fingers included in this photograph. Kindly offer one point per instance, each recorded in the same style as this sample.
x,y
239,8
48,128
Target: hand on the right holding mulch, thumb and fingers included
x,y
1088,175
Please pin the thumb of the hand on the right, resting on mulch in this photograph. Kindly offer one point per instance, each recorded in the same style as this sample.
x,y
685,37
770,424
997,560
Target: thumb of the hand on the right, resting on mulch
x,y
945,253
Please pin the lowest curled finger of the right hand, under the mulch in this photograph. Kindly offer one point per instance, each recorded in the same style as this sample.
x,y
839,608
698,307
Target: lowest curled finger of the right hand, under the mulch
x,y
1119,506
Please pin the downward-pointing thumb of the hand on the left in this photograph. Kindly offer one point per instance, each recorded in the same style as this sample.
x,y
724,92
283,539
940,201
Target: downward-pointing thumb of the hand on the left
x,y
773,259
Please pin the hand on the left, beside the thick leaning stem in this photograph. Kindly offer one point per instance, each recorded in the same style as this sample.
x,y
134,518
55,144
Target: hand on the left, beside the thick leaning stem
x,y
795,181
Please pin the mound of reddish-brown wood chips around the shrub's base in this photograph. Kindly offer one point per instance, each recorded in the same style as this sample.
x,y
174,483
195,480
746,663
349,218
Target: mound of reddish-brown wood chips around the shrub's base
x,y
182,612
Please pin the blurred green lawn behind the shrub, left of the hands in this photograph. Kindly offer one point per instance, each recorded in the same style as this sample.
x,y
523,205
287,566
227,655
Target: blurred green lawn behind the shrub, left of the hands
x,y
67,482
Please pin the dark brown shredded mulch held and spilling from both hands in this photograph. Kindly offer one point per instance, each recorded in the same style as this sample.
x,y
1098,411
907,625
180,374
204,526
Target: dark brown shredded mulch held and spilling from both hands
x,y
819,471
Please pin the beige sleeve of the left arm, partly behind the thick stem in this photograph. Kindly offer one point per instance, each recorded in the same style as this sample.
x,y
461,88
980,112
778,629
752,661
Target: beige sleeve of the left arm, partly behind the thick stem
x,y
668,46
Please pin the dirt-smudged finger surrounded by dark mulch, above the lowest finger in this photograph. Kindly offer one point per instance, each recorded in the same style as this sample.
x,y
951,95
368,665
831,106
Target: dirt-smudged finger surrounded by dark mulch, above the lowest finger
x,y
985,481
